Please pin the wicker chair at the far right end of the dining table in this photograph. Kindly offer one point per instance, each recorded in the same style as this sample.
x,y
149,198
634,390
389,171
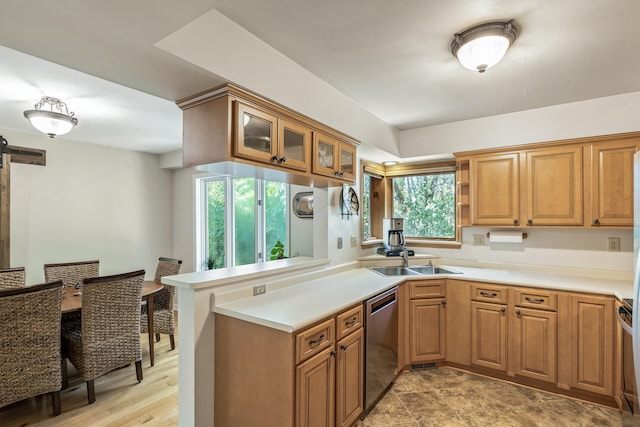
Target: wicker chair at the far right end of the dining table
x,y
163,315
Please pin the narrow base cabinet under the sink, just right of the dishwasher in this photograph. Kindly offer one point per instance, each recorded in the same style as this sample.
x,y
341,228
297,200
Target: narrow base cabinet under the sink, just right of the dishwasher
x,y
427,320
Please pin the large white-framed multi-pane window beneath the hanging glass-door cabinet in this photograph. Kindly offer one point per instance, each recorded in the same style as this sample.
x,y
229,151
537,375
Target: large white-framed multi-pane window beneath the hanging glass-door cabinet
x,y
240,220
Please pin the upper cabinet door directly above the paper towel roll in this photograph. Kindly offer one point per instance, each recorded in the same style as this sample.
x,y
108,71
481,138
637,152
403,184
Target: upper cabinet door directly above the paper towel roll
x,y
495,191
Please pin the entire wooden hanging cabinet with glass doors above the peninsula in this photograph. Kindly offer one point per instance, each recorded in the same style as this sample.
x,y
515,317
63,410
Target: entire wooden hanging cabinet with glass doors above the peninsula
x,y
232,131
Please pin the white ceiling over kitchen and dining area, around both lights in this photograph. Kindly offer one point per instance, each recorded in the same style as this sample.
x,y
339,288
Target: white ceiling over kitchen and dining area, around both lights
x,y
392,58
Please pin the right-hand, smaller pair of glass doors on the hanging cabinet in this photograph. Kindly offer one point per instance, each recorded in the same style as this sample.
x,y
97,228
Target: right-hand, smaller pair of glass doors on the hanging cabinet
x,y
333,158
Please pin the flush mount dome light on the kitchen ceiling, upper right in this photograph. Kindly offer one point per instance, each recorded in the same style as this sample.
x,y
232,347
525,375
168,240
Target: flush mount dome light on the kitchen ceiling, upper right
x,y
483,46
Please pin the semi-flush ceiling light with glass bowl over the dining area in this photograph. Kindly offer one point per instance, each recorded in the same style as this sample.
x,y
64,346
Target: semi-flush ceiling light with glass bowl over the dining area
x,y
57,120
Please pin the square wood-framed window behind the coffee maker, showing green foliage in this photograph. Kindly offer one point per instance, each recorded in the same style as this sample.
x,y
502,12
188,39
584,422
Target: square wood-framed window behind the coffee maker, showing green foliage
x,y
427,204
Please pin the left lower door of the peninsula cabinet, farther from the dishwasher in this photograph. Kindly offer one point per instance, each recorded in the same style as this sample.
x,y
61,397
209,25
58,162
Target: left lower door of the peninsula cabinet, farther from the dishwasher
x,y
315,391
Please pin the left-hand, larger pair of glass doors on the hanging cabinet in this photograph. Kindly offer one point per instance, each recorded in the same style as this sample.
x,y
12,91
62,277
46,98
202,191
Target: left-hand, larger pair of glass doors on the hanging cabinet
x,y
264,137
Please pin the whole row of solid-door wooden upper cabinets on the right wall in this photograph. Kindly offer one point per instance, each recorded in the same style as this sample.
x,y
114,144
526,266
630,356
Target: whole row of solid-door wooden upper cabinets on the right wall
x,y
585,183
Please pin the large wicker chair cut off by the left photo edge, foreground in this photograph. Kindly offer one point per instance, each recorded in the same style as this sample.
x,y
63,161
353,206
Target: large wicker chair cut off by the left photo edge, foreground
x,y
30,343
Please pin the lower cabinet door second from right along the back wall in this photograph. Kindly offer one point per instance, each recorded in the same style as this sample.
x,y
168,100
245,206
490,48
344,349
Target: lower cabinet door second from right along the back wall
x,y
535,347
